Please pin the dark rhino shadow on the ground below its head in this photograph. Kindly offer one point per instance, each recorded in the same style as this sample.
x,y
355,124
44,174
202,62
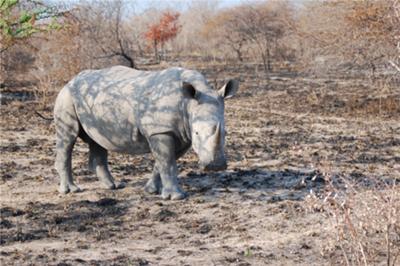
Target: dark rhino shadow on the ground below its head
x,y
255,183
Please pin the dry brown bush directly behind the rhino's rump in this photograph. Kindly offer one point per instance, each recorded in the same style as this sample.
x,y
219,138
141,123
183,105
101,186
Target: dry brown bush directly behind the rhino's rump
x,y
58,57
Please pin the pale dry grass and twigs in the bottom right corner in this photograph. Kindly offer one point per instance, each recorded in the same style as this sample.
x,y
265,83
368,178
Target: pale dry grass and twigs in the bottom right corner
x,y
365,220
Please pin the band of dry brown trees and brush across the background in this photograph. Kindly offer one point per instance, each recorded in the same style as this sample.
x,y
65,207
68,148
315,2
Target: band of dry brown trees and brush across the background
x,y
316,37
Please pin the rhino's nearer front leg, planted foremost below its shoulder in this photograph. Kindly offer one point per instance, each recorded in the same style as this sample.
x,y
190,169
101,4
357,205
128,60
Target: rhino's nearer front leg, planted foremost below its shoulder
x,y
163,150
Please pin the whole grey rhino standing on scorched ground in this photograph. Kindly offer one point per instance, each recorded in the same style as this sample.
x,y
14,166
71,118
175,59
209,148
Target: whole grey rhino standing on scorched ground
x,y
125,110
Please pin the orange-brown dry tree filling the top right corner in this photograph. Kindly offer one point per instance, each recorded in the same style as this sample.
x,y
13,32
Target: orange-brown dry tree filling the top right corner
x,y
358,34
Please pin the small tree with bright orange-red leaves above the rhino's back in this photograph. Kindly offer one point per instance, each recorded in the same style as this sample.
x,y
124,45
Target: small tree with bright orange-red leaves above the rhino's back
x,y
166,29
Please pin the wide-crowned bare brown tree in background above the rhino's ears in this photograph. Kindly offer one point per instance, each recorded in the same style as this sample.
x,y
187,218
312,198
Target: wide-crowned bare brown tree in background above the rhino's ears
x,y
257,27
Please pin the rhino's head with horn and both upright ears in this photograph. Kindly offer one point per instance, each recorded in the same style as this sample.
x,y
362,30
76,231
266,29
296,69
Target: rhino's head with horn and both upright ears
x,y
207,126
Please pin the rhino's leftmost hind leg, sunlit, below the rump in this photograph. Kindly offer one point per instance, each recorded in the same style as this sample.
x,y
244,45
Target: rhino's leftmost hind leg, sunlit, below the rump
x,y
67,130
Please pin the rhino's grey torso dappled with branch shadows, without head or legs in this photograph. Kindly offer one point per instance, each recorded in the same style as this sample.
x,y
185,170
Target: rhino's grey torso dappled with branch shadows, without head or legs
x,y
120,107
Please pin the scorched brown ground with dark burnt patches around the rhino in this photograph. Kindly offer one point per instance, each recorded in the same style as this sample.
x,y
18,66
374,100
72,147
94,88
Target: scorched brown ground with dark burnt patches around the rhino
x,y
285,135
